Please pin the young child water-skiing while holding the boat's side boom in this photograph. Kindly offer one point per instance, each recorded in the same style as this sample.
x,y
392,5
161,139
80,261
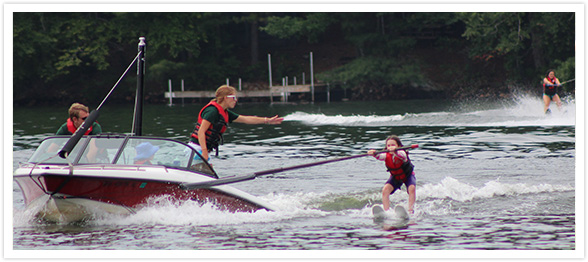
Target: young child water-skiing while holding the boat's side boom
x,y
401,172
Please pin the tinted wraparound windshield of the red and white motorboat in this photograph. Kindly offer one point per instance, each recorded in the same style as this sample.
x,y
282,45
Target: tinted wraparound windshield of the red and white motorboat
x,y
123,150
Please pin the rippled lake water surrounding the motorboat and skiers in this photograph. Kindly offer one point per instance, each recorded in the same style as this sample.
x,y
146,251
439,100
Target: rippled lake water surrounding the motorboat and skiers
x,y
490,176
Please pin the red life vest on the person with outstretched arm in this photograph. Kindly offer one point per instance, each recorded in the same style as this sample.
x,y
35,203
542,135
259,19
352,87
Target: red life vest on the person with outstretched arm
x,y
214,134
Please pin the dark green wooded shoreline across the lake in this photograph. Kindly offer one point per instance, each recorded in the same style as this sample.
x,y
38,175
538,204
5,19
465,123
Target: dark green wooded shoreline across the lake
x,y
65,57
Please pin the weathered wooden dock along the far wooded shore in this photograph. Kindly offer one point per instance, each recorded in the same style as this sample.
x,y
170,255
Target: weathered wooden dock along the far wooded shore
x,y
279,91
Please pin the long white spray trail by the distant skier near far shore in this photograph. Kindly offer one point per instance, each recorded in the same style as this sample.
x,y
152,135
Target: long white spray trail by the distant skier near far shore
x,y
521,111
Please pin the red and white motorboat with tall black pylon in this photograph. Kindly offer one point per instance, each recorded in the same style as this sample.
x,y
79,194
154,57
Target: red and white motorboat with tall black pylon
x,y
77,178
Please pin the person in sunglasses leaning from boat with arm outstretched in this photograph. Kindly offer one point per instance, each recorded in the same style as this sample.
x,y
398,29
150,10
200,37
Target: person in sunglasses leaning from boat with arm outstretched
x,y
215,117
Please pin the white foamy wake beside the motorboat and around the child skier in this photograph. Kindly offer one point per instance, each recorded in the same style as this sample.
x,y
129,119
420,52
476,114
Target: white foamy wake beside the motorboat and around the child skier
x,y
434,199
